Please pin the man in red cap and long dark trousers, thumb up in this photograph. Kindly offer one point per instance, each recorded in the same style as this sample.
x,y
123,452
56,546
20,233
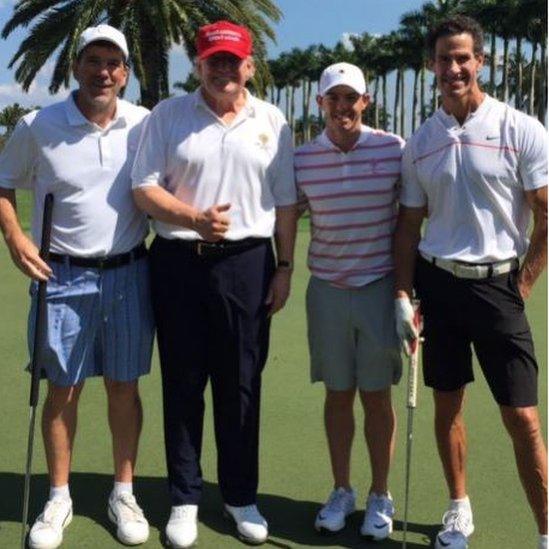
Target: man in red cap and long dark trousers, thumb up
x,y
215,172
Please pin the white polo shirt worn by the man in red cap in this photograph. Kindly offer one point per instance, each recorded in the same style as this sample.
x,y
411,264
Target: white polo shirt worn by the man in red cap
x,y
190,152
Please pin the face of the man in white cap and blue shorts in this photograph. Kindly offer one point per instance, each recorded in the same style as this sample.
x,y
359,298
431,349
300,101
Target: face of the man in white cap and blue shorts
x,y
101,73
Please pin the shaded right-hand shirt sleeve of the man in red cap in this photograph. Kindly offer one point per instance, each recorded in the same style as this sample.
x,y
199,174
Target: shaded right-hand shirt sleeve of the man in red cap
x,y
281,171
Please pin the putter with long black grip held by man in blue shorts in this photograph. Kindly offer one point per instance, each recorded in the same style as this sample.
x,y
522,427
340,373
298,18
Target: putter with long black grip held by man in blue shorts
x,y
38,348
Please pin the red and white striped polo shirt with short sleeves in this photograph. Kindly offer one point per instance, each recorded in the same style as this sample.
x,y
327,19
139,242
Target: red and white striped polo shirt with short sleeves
x,y
352,200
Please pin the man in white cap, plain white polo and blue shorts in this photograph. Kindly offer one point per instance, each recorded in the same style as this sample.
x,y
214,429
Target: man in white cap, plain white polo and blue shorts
x,y
99,314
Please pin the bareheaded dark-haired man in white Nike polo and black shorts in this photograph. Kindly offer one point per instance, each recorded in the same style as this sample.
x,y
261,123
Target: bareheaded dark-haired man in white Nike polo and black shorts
x,y
476,169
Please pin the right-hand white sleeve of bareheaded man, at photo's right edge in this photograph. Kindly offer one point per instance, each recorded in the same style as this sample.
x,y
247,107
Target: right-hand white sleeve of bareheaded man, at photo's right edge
x,y
532,164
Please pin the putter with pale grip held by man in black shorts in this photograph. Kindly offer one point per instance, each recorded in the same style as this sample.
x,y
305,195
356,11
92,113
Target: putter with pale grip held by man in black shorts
x,y
411,399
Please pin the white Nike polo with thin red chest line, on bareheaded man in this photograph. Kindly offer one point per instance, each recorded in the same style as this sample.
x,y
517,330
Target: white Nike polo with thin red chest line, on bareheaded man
x,y
473,178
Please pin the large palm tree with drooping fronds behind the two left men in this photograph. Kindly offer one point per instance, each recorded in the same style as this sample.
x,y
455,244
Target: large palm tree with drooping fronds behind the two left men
x,y
150,26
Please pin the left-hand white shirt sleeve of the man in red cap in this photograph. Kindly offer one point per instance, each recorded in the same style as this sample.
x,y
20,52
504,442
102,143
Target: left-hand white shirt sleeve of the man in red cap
x,y
149,167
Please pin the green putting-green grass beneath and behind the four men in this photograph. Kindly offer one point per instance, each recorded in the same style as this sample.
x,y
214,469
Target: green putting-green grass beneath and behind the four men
x,y
295,473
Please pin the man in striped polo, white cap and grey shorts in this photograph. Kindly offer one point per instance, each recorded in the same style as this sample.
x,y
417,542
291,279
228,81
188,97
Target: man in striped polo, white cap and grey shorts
x,y
348,178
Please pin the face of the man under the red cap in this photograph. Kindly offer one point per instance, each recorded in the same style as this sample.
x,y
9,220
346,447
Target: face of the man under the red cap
x,y
223,75
